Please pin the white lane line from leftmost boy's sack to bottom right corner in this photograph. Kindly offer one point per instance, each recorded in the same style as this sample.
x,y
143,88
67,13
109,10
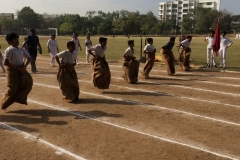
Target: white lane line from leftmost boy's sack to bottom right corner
x,y
233,157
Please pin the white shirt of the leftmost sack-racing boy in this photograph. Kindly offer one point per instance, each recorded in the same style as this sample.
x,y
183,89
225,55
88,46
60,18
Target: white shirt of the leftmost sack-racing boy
x,y
15,55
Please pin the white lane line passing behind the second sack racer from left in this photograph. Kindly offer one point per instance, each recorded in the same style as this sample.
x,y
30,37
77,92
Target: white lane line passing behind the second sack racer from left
x,y
150,106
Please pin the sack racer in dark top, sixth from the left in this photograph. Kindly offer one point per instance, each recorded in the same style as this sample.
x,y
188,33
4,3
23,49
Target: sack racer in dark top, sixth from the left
x,y
168,57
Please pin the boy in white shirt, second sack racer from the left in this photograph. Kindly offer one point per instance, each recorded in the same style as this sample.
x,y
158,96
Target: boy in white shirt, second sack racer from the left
x,y
67,76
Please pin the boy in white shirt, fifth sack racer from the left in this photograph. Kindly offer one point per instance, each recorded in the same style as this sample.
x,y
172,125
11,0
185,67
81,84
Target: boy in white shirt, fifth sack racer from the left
x,y
150,50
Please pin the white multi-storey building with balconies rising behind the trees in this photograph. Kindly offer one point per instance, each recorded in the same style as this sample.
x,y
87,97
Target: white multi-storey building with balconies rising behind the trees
x,y
177,9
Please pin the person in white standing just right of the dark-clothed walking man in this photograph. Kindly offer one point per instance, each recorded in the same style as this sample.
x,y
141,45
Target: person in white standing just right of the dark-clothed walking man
x,y
52,47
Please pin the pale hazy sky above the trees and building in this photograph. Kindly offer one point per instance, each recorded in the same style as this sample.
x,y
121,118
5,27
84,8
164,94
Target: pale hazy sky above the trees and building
x,y
82,6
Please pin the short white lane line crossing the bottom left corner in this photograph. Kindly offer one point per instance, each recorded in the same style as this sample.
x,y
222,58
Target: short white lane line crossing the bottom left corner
x,y
34,138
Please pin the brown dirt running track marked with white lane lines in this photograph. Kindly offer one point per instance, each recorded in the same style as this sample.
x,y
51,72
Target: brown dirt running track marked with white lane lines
x,y
191,115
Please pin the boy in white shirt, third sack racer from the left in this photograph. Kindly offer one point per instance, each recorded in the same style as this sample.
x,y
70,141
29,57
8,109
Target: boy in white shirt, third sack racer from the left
x,y
101,75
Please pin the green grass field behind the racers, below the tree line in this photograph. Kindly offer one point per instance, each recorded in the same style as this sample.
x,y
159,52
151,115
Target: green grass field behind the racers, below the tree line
x,y
117,46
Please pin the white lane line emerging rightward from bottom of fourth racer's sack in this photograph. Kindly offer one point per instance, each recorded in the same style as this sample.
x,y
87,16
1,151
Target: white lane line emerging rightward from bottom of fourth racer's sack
x,y
185,87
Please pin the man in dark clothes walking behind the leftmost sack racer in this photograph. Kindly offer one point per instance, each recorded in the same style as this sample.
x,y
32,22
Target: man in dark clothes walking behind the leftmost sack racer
x,y
32,43
